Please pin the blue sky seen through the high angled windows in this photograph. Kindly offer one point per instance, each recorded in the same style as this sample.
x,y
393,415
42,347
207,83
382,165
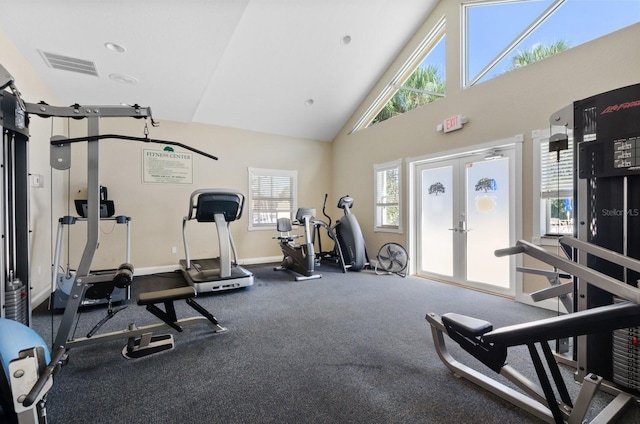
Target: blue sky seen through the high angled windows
x,y
493,26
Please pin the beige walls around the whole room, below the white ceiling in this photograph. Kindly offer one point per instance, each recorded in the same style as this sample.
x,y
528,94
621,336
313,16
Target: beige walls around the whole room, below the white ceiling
x,y
515,103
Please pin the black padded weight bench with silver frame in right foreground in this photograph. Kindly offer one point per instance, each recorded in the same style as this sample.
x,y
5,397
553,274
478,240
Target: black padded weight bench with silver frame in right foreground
x,y
490,346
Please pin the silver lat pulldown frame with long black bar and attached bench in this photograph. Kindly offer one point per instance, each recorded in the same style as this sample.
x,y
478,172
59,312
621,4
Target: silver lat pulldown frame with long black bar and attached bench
x,y
96,285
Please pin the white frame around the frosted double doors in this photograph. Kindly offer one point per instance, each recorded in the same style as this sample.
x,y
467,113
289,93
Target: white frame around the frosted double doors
x,y
412,184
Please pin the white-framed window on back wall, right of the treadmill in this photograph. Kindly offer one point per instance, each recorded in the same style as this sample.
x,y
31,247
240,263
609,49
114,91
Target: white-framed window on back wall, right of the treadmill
x,y
272,195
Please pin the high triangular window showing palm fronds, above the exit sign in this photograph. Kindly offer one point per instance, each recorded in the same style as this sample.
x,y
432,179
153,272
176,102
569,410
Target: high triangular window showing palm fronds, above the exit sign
x,y
420,81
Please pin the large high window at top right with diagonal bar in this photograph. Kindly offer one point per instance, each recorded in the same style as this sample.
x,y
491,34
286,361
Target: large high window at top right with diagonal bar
x,y
503,35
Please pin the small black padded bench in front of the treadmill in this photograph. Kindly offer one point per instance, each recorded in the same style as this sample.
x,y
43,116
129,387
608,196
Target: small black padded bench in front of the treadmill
x,y
148,344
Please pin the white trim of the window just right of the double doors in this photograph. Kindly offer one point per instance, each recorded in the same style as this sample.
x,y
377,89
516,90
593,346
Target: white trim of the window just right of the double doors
x,y
538,137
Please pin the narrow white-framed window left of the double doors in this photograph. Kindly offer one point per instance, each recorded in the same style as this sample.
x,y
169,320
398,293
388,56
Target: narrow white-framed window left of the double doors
x,y
387,196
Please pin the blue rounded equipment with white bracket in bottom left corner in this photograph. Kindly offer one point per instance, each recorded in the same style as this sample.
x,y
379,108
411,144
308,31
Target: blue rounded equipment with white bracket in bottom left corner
x,y
26,375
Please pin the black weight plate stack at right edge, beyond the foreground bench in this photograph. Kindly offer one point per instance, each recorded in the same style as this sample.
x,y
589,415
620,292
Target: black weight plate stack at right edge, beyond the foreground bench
x,y
626,357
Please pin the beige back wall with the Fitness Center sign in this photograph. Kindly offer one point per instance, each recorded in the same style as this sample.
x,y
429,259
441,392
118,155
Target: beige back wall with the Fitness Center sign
x,y
156,209
